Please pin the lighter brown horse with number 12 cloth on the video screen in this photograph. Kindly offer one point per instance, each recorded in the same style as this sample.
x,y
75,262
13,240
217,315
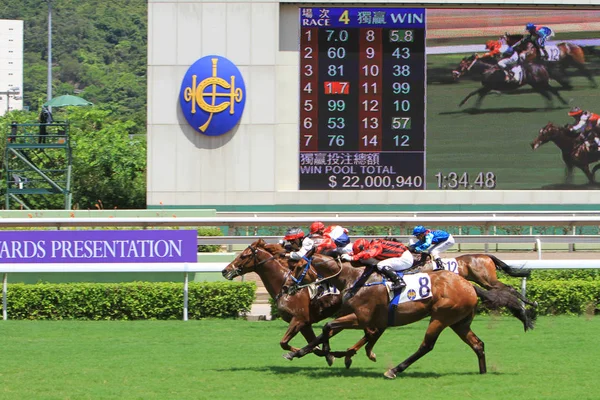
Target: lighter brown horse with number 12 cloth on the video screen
x,y
562,55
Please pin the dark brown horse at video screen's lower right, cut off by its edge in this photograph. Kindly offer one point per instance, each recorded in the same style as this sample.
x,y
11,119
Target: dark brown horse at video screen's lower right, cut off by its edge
x,y
570,147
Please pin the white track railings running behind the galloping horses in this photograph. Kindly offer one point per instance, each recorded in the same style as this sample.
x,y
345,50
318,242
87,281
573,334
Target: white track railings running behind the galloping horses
x,y
434,219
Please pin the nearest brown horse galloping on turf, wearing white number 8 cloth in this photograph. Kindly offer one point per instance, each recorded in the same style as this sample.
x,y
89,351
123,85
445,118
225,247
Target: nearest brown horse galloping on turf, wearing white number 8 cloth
x,y
452,304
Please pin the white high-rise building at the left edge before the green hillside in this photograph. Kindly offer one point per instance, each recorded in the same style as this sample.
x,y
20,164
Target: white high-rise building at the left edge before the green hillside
x,y
11,65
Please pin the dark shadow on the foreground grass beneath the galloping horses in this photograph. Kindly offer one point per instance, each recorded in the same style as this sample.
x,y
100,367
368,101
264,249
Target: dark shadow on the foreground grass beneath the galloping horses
x,y
328,372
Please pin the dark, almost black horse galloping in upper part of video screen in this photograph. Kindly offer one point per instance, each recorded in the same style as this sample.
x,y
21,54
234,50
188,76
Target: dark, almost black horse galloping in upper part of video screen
x,y
494,79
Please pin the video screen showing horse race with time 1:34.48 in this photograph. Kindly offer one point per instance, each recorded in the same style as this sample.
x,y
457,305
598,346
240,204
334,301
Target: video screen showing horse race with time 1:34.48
x,y
512,98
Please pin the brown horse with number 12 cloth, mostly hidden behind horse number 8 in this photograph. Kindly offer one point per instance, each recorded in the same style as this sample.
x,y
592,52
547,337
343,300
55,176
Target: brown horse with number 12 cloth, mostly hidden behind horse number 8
x,y
481,269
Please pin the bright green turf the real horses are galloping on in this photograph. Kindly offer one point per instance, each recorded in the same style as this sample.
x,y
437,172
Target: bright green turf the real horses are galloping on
x,y
227,359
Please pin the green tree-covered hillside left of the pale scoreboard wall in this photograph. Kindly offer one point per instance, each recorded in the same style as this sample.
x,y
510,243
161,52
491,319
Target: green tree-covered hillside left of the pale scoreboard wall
x,y
99,52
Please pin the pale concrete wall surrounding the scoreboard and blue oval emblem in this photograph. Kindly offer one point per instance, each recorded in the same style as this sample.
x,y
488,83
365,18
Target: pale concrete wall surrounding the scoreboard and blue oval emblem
x,y
257,163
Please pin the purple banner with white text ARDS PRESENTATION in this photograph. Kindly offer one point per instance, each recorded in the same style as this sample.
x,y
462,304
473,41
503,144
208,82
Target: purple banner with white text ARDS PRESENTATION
x,y
98,246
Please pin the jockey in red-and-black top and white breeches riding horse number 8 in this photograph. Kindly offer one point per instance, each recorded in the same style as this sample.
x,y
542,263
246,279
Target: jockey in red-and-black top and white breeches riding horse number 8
x,y
388,256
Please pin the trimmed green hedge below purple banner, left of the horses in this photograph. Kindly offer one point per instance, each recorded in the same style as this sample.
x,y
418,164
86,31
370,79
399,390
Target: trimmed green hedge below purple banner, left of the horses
x,y
128,301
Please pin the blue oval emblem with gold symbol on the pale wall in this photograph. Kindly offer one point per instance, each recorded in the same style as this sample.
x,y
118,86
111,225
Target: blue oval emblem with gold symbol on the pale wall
x,y
213,95
